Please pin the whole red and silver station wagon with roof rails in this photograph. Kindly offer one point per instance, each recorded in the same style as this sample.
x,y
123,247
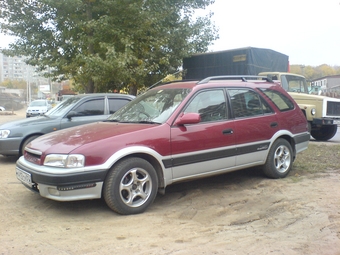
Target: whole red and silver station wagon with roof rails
x,y
172,133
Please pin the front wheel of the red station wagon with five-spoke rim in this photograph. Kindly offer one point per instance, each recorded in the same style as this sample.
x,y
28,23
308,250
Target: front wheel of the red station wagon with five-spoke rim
x,y
130,186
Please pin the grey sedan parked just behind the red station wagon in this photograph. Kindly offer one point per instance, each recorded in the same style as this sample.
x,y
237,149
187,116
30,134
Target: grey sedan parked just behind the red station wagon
x,y
75,111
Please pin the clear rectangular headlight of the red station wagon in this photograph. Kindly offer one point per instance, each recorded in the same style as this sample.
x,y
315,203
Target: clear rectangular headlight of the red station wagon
x,y
69,161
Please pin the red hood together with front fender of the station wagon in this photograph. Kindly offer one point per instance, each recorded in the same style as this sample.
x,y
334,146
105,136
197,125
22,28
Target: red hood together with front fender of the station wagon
x,y
98,141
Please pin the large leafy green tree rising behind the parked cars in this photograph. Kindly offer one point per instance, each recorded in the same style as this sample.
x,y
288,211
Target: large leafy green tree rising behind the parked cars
x,y
107,44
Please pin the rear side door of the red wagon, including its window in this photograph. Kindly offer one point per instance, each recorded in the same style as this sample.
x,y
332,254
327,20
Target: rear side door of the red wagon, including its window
x,y
255,124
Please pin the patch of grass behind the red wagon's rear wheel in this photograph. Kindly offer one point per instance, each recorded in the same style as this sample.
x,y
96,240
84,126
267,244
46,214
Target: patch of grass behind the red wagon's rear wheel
x,y
318,158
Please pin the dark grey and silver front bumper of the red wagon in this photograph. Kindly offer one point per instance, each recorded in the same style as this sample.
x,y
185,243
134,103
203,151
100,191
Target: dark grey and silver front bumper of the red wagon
x,y
66,186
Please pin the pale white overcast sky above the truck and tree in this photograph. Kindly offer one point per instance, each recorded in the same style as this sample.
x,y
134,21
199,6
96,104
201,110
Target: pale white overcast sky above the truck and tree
x,y
308,31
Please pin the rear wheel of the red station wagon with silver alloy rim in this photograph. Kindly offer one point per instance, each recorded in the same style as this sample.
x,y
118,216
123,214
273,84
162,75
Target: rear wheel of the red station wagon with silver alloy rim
x,y
280,159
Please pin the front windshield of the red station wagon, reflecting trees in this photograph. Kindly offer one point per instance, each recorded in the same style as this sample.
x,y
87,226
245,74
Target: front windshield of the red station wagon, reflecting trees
x,y
155,106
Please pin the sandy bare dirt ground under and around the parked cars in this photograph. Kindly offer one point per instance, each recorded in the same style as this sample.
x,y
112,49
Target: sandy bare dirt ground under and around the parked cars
x,y
237,213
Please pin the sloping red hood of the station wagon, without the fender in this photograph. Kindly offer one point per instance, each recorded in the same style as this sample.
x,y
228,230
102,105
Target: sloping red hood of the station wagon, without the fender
x,y
67,140
